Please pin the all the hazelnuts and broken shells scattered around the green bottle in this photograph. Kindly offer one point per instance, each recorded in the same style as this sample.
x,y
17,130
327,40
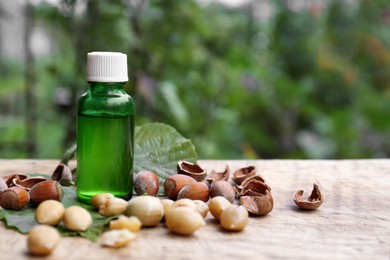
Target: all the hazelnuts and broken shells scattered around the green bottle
x,y
190,195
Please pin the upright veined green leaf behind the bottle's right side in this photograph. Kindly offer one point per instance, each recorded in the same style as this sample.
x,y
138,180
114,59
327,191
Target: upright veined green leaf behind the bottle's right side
x,y
158,148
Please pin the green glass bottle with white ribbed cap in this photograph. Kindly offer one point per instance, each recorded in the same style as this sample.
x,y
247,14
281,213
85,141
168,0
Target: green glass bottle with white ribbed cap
x,y
105,129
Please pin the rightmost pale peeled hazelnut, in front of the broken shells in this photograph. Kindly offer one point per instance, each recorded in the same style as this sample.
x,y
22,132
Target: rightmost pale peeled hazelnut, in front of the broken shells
x,y
234,218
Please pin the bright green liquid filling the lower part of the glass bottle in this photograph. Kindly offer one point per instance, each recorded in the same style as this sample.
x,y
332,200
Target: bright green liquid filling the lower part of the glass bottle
x,y
104,164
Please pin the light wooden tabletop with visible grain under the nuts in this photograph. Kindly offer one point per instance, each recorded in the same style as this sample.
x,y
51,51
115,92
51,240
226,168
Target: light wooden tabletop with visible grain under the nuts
x,y
352,223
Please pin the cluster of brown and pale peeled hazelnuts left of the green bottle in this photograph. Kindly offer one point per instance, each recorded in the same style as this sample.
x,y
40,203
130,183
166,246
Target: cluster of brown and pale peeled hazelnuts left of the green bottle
x,y
17,190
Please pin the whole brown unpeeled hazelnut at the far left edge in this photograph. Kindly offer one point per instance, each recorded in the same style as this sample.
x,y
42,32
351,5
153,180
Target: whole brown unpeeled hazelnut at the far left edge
x,y
14,198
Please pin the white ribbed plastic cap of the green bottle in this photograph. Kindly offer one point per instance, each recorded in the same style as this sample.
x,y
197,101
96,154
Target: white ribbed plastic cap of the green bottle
x,y
107,67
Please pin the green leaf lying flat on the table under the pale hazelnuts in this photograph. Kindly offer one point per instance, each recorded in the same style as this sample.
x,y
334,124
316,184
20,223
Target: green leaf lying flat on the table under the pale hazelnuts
x,y
24,220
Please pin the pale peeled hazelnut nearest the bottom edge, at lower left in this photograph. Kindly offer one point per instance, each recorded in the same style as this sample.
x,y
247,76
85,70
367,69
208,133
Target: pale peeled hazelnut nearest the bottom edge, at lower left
x,y
42,240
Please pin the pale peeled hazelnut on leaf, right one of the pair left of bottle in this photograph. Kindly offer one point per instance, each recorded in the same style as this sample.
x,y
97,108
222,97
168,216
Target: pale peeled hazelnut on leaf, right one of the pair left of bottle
x,y
77,218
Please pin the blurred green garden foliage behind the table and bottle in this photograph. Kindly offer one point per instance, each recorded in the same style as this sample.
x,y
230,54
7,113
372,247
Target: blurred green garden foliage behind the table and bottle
x,y
241,78
